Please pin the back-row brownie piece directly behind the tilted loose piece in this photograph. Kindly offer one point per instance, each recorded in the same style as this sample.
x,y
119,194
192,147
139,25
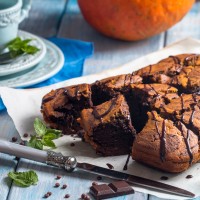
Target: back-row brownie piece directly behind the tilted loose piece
x,y
108,88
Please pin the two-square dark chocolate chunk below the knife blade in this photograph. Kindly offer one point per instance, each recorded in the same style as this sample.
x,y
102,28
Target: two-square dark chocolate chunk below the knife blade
x,y
114,189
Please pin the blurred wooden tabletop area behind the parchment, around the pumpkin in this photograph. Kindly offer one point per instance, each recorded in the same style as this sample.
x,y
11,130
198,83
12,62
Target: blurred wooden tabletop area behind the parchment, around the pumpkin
x,y
62,18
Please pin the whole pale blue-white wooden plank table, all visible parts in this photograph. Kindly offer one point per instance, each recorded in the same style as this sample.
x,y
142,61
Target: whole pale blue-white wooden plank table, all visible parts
x,y
62,18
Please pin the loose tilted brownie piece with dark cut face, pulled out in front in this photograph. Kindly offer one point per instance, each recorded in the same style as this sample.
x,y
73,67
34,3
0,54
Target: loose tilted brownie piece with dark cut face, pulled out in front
x,y
108,127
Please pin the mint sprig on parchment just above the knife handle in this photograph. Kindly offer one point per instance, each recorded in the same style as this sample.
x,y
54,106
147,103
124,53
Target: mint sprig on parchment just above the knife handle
x,y
44,136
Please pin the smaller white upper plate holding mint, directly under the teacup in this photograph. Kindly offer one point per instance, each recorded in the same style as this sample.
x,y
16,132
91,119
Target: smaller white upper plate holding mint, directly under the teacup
x,y
26,61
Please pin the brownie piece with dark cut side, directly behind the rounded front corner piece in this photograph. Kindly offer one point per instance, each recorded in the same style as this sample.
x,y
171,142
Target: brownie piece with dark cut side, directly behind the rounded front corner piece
x,y
145,97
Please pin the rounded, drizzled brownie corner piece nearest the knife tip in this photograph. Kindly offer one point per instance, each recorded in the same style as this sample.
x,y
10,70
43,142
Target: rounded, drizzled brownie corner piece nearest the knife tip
x,y
165,146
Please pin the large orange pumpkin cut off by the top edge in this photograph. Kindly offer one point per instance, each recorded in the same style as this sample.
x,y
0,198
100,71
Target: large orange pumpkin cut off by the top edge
x,y
133,19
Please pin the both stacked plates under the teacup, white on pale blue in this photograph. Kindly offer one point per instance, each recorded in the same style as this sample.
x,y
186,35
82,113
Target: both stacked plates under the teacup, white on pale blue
x,y
31,69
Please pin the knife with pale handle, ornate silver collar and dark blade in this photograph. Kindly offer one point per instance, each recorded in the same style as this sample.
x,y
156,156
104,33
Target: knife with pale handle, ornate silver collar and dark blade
x,y
70,163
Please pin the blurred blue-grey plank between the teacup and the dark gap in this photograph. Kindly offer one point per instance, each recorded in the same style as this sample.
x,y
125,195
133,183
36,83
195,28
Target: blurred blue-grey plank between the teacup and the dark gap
x,y
44,17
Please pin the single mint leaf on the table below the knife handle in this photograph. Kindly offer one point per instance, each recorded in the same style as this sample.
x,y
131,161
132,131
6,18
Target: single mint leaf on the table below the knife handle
x,y
24,179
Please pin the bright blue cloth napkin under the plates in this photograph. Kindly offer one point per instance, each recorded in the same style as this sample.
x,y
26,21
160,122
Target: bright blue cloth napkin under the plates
x,y
75,53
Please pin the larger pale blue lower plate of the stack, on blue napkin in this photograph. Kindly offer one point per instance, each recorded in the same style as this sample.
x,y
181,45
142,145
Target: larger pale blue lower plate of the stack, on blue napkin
x,y
51,63
